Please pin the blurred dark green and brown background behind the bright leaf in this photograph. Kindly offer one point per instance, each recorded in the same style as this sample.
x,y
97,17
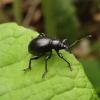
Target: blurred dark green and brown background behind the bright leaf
x,y
71,19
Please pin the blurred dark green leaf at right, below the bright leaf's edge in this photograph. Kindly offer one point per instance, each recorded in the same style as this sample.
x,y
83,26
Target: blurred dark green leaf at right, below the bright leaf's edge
x,y
92,69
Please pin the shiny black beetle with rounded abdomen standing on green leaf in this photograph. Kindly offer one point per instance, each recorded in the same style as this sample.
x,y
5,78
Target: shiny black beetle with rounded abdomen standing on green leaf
x,y
43,46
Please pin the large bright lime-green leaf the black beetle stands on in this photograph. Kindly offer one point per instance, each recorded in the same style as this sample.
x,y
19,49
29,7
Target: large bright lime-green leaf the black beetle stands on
x,y
59,84
